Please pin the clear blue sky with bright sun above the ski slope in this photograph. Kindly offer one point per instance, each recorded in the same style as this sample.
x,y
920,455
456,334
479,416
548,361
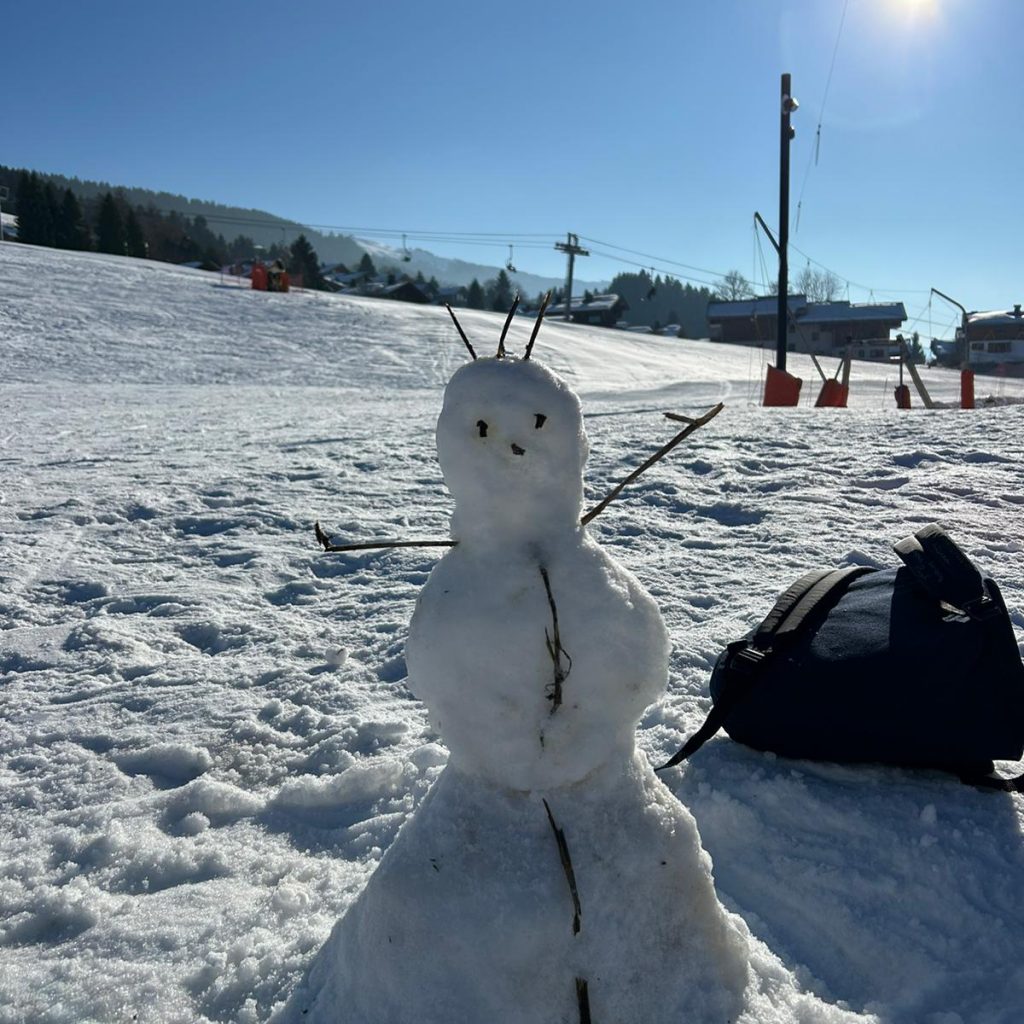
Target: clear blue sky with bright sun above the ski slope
x,y
652,126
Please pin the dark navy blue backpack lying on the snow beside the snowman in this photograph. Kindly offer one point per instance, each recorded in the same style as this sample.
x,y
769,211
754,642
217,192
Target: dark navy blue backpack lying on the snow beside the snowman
x,y
916,666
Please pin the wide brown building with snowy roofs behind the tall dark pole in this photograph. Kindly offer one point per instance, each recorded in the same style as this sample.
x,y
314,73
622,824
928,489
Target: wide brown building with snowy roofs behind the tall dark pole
x,y
819,328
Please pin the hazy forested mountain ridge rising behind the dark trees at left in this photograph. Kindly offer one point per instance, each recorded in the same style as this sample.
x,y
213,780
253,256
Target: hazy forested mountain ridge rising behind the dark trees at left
x,y
267,229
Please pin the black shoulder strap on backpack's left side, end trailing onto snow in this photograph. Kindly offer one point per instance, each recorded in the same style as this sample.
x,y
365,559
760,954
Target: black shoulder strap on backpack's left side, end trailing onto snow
x,y
745,660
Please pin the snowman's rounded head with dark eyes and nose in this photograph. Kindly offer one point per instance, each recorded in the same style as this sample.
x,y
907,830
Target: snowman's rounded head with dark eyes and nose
x,y
513,448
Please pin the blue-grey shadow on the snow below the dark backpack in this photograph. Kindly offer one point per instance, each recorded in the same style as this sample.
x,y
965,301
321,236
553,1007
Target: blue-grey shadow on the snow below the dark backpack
x,y
862,878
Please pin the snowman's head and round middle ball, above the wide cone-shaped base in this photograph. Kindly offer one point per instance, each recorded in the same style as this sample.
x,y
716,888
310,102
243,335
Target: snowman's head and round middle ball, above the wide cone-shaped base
x,y
527,594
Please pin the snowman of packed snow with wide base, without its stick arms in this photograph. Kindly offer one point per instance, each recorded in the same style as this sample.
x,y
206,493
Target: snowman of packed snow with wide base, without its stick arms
x,y
548,876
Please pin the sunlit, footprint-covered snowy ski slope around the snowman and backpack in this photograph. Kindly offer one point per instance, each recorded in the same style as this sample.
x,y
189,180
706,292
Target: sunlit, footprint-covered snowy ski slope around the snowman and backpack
x,y
206,741
